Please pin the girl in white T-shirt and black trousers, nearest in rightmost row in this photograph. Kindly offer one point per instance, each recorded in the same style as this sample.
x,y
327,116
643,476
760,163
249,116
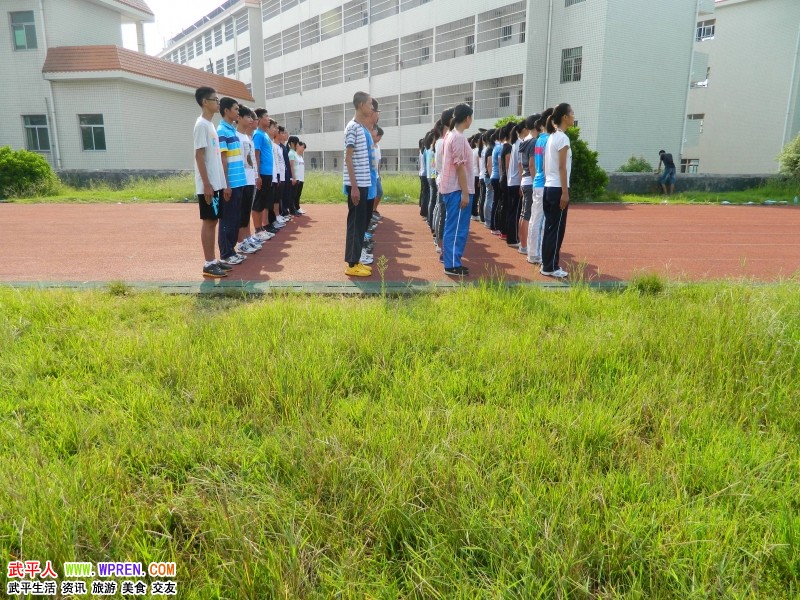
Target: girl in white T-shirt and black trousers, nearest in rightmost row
x,y
558,168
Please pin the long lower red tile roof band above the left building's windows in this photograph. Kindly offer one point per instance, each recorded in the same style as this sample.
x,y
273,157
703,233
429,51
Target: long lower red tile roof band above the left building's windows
x,y
76,59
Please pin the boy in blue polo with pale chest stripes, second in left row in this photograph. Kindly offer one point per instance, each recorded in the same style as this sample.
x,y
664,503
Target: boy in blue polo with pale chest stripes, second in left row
x,y
233,165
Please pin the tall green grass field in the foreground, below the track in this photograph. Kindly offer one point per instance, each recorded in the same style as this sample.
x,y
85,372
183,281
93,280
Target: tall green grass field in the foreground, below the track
x,y
485,443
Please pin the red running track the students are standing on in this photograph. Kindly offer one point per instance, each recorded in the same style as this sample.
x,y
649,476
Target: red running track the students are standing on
x,y
161,243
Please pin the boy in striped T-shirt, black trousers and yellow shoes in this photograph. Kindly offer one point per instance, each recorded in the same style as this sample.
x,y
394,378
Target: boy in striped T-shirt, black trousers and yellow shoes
x,y
356,183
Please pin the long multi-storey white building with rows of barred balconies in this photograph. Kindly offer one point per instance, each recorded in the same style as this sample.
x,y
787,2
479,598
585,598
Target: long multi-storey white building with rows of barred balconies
x,y
624,69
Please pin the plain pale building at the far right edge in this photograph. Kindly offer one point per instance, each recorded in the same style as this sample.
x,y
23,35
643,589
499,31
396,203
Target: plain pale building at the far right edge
x,y
744,104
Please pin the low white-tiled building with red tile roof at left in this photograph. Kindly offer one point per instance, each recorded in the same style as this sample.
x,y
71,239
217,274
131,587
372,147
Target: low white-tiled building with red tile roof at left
x,y
74,95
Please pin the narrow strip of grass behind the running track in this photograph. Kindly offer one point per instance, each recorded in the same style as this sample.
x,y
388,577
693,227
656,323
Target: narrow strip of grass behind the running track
x,y
323,187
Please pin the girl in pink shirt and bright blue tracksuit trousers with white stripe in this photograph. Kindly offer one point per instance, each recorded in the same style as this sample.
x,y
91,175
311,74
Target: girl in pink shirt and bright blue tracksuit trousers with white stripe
x,y
458,189
